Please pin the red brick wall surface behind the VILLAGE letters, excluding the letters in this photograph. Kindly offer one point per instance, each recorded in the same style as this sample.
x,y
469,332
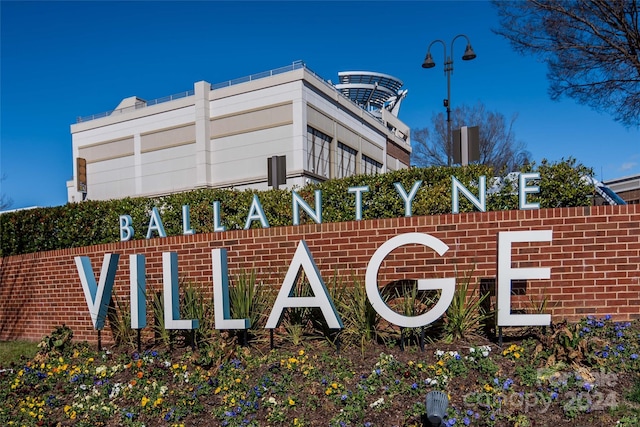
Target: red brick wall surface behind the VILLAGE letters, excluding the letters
x,y
594,260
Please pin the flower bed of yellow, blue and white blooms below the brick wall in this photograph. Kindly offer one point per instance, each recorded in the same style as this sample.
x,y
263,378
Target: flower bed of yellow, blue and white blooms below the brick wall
x,y
582,374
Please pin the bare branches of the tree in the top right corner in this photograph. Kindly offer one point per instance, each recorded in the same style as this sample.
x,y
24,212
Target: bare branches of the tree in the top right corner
x,y
592,49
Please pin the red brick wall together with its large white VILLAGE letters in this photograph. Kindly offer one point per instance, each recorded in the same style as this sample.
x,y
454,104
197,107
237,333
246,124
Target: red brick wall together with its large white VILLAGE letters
x,y
582,260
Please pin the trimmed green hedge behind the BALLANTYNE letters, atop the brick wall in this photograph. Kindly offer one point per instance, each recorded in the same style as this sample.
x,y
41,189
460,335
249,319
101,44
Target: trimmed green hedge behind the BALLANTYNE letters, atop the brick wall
x,y
94,222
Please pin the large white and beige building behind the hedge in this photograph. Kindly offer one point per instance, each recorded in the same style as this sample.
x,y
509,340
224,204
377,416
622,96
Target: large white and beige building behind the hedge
x,y
223,136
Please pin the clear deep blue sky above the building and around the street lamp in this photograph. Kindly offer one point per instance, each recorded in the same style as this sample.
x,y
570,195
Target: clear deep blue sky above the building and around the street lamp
x,y
61,60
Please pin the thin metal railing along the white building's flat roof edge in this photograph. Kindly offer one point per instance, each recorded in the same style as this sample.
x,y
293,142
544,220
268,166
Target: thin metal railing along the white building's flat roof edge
x,y
142,104
